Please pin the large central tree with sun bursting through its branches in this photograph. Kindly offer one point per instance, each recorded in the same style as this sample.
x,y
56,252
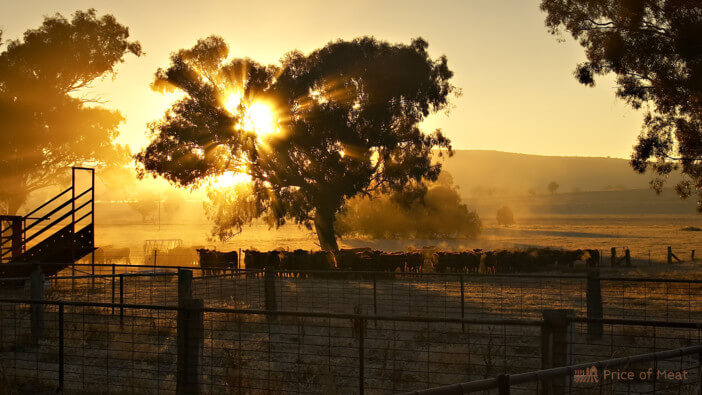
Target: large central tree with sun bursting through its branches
x,y
348,115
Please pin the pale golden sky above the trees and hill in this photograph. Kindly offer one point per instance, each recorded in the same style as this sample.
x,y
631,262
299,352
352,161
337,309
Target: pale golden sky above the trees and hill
x,y
519,94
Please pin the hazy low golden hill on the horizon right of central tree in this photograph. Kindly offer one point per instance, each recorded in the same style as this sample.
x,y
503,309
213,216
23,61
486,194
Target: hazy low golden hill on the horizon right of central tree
x,y
591,186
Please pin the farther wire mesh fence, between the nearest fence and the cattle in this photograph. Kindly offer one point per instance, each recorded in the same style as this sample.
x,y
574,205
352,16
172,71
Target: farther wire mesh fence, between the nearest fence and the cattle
x,y
421,294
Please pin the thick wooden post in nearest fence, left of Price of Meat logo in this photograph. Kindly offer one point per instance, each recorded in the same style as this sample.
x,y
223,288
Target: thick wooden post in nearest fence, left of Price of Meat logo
x,y
556,347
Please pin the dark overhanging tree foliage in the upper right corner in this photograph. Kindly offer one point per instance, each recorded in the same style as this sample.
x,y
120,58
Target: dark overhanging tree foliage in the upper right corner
x,y
655,50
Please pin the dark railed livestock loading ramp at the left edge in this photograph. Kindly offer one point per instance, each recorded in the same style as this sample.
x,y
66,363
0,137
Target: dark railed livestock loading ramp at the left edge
x,y
57,233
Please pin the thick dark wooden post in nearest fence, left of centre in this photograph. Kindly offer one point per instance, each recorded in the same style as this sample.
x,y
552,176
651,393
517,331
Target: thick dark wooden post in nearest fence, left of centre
x,y
190,345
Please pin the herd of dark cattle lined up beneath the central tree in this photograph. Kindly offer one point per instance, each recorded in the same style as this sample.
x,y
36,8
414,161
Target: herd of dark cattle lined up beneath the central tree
x,y
424,260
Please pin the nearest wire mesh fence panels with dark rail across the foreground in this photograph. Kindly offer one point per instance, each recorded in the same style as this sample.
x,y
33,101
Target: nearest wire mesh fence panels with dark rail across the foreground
x,y
105,347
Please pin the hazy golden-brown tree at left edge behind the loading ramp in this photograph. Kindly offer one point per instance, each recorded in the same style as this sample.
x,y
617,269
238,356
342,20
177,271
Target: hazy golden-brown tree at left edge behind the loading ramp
x,y
46,125
